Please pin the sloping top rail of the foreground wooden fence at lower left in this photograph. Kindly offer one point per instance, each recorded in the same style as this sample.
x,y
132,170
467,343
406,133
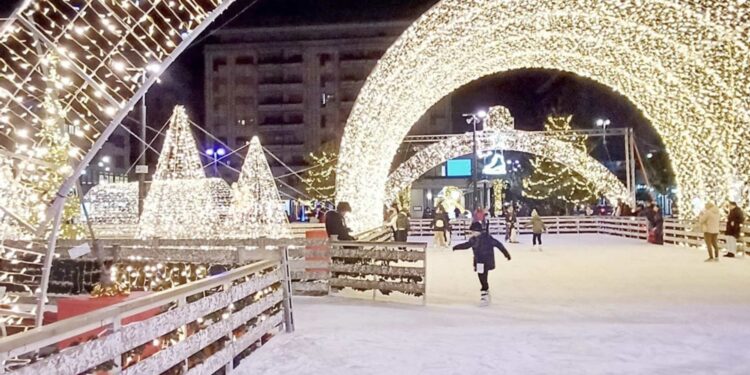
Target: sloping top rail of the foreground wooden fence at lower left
x,y
46,335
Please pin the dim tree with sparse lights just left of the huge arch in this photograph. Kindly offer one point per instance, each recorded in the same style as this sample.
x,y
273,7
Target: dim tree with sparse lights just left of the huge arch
x,y
320,180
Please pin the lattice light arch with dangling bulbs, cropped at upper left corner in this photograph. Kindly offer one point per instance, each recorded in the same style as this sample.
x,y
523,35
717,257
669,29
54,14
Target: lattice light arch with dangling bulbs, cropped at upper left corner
x,y
108,54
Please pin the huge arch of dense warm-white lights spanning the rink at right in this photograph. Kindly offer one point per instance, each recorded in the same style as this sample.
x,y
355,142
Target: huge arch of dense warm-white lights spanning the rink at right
x,y
684,64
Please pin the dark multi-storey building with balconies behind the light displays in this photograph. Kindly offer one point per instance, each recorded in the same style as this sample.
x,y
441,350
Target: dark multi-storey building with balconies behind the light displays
x,y
294,87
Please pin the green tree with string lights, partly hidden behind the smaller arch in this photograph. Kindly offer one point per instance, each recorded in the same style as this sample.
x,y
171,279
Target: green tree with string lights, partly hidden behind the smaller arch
x,y
551,180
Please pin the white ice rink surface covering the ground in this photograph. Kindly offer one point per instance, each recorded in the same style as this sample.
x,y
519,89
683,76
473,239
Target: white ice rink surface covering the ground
x,y
588,304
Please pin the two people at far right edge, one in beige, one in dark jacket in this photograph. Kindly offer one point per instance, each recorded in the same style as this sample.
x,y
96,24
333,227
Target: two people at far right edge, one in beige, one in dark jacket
x,y
709,222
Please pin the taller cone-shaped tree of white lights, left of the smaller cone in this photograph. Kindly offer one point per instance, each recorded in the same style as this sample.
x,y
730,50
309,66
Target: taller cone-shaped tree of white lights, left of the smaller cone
x,y
182,203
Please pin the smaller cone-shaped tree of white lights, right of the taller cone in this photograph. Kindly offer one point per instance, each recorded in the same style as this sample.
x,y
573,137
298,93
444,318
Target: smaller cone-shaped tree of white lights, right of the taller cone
x,y
257,211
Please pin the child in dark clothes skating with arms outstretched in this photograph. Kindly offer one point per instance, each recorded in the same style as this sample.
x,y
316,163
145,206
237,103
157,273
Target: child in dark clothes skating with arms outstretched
x,y
483,245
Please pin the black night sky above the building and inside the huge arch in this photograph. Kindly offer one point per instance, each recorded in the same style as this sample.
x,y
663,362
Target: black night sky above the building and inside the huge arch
x,y
530,95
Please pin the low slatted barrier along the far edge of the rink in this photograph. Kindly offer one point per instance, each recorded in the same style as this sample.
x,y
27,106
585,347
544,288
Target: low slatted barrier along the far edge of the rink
x,y
676,232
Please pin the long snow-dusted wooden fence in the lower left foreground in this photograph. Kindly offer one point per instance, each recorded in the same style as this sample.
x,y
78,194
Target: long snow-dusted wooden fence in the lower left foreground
x,y
198,328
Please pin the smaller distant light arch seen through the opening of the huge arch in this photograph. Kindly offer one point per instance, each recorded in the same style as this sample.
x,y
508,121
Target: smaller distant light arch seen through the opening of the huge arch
x,y
511,140
